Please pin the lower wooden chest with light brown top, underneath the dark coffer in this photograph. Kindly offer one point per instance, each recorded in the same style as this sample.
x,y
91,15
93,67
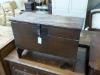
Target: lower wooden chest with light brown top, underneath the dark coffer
x,y
27,67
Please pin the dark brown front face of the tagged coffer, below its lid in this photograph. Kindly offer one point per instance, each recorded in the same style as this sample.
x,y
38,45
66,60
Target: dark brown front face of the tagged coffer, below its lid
x,y
56,41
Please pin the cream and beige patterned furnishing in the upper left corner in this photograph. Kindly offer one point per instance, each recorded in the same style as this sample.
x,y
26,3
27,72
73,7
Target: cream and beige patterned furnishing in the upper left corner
x,y
9,9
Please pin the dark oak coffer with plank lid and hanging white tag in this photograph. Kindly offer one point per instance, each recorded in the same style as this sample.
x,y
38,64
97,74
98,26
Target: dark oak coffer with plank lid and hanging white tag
x,y
56,36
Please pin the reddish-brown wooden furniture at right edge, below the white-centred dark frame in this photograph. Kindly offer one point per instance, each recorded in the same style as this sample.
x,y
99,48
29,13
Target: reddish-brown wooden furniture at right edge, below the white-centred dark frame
x,y
95,55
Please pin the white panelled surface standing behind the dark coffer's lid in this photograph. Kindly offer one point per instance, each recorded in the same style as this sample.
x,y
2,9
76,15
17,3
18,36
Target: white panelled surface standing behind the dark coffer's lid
x,y
69,8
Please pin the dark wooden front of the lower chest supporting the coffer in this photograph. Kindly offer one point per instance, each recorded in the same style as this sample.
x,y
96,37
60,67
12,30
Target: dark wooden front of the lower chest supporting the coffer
x,y
18,69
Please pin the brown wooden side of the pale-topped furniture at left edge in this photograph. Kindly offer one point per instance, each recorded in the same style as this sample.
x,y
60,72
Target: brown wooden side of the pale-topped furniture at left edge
x,y
4,68
